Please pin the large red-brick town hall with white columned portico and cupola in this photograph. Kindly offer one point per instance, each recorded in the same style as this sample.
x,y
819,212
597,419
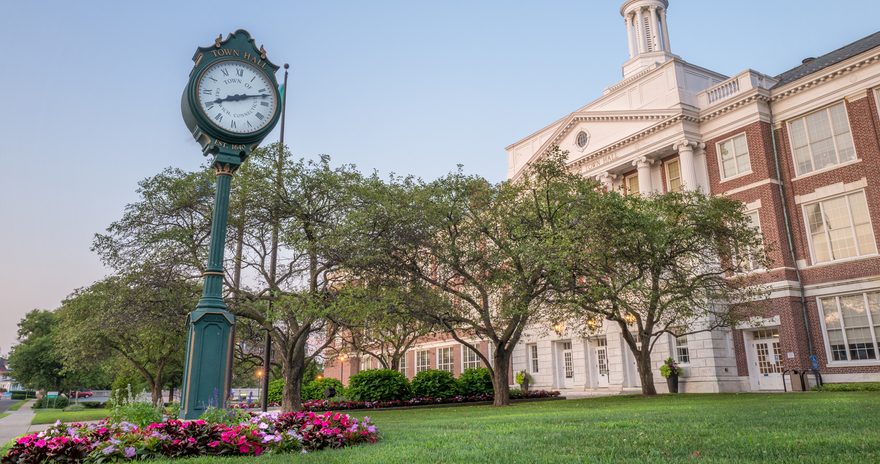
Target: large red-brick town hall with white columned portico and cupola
x,y
801,150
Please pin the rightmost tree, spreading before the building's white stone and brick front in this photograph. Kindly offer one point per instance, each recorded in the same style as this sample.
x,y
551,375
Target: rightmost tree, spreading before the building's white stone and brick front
x,y
655,265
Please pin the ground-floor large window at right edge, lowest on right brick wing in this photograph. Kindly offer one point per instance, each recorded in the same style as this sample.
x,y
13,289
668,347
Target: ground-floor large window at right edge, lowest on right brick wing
x,y
852,326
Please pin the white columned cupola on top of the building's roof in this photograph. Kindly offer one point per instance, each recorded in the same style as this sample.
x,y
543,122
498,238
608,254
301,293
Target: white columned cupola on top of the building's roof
x,y
646,34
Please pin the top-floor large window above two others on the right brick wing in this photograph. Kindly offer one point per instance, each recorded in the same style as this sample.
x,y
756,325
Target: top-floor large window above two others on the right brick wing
x,y
821,139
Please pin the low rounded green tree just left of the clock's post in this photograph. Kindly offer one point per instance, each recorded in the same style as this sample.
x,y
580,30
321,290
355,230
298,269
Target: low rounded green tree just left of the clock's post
x,y
139,317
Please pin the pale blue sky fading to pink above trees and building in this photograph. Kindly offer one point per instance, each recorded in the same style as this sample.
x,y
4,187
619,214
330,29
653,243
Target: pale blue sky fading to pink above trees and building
x,y
90,94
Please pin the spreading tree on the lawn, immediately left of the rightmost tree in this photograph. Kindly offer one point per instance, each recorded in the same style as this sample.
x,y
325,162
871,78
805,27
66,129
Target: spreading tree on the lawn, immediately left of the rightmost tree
x,y
469,240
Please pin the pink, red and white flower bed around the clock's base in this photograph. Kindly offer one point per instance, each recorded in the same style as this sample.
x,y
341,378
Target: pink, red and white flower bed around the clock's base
x,y
263,433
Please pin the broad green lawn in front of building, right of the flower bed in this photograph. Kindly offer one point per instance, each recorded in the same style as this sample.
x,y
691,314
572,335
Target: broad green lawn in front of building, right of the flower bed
x,y
801,428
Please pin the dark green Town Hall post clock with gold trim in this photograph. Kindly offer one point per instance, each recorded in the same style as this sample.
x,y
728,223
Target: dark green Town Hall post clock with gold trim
x,y
230,104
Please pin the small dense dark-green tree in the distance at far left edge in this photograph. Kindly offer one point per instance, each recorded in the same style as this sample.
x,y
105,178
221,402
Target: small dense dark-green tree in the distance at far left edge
x,y
34,361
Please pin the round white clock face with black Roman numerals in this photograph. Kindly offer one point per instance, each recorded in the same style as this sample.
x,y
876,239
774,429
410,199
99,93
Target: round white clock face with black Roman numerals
x,y
236,97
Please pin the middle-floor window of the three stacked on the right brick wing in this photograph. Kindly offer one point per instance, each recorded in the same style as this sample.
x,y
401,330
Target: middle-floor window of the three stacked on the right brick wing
x,y
840,228
